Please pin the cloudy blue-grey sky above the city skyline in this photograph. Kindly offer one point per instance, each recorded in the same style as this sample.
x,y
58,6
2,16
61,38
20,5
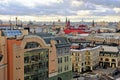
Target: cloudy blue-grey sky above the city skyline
x,y
52,10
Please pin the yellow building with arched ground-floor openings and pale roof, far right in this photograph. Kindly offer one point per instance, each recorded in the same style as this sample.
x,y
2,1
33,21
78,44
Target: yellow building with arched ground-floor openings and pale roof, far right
x,y
109,57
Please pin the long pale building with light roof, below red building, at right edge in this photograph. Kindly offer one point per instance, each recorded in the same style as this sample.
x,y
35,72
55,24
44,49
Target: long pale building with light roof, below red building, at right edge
x,y
105,38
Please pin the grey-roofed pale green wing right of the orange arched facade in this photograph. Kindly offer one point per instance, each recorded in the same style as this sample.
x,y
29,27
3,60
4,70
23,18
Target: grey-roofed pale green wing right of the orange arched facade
x,y
62,50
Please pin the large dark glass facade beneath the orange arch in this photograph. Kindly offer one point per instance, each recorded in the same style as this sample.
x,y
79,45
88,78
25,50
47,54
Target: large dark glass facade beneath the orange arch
x,y
36,64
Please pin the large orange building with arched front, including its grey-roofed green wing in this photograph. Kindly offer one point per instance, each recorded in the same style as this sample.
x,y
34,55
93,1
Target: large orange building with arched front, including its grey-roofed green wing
x,y
35,57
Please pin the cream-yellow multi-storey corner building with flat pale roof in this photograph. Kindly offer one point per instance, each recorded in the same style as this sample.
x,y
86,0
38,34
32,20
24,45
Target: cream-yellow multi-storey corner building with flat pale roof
x,y
85,59
